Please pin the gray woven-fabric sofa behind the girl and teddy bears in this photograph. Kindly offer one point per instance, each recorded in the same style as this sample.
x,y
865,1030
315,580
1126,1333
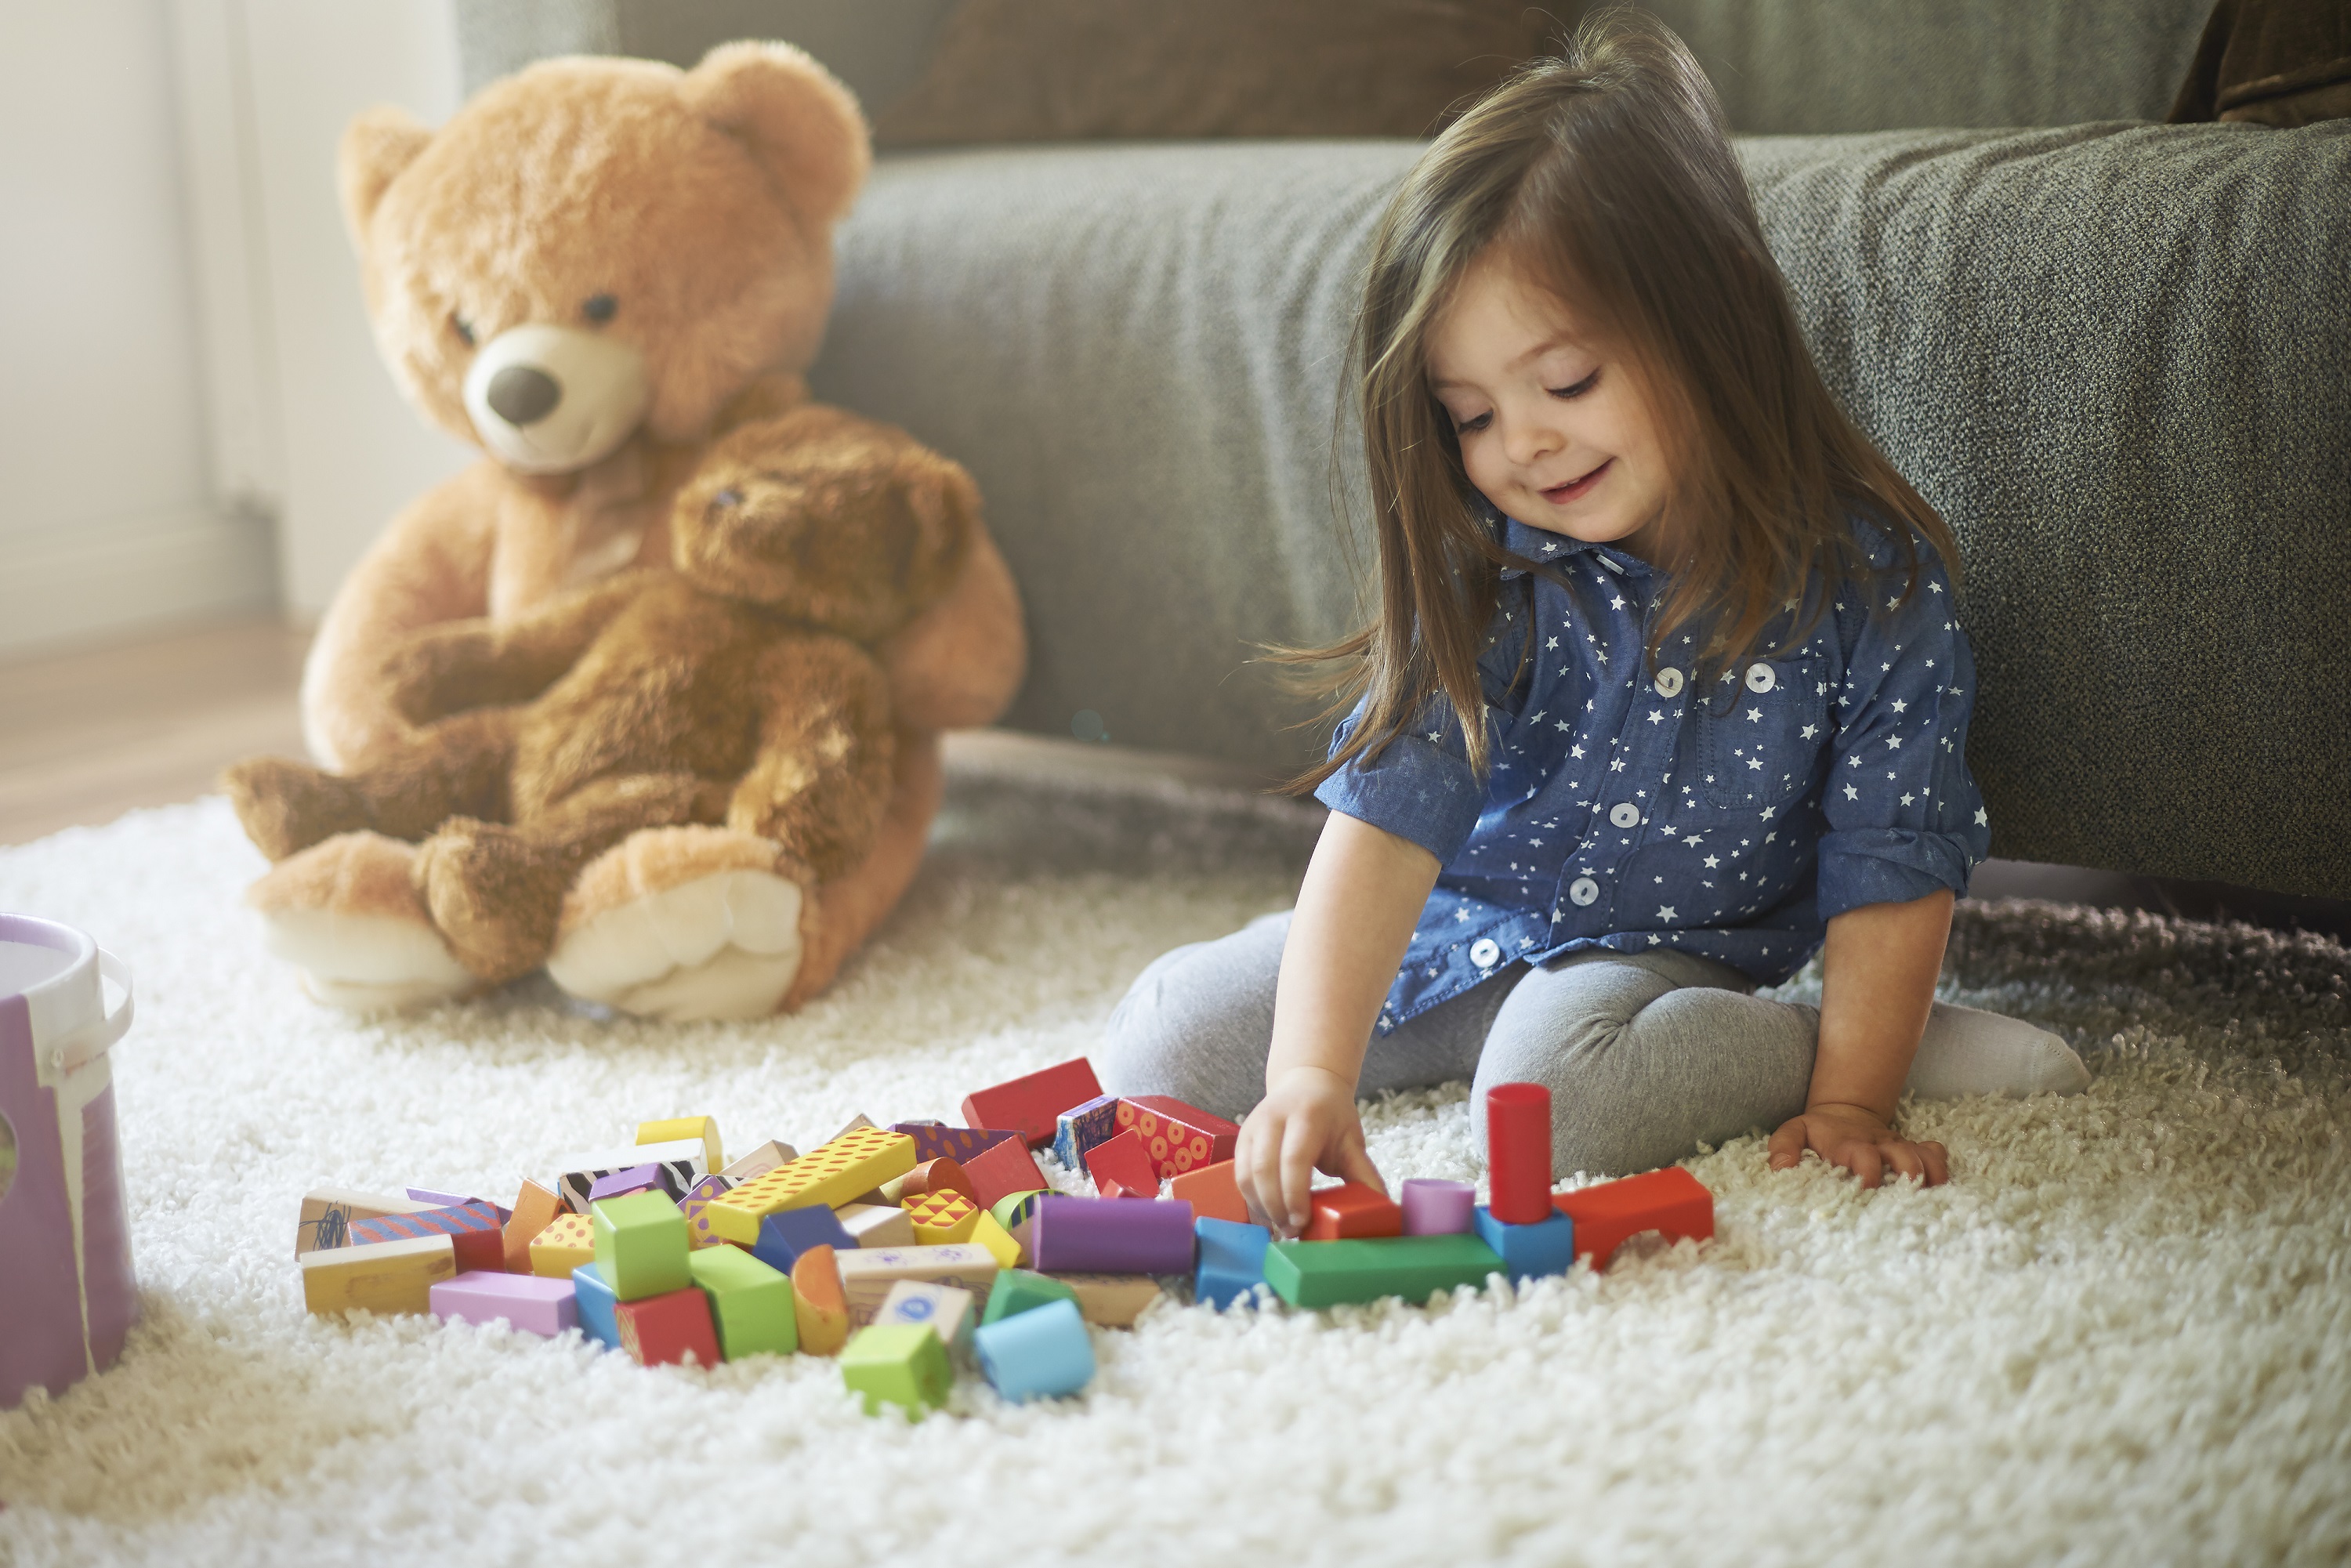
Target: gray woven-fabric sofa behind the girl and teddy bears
x,y
2115,354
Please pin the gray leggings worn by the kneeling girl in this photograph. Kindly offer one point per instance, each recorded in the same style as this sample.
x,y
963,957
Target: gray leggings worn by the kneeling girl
x,y
1647,1054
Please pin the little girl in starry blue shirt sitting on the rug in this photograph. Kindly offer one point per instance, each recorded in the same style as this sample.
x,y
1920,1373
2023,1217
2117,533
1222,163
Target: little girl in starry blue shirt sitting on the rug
x,y
1666,690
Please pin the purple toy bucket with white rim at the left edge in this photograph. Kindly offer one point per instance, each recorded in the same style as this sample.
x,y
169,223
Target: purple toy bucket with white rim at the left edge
x,y
67,1294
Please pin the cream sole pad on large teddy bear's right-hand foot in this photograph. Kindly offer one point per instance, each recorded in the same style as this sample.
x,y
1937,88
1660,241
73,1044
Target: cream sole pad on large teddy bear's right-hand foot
x,y
721,946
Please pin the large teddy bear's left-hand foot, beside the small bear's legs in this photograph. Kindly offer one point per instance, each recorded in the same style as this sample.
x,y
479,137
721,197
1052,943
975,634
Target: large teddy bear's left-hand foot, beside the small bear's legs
x,y
347,913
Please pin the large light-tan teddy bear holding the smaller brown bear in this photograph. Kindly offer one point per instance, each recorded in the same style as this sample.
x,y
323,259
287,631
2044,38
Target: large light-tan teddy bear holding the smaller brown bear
x,y
598,272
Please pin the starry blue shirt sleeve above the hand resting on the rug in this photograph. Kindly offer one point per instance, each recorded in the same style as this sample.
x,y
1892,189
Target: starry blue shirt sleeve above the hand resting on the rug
x,y
1903,815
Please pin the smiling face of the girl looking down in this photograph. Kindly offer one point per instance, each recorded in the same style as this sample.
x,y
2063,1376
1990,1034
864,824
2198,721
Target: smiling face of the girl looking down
x,y
1553,431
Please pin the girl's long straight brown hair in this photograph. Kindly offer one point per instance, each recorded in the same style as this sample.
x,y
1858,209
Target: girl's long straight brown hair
x,y
1607,180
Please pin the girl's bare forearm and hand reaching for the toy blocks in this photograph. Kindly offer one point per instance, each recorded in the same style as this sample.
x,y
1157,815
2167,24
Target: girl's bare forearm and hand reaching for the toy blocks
x,y
1355,916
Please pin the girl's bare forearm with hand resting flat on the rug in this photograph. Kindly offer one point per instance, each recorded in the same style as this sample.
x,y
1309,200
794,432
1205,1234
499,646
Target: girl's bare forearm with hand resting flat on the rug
x,y
1877,984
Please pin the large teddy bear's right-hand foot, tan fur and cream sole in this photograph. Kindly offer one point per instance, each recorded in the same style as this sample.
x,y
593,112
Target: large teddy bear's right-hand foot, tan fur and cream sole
x,y
685,923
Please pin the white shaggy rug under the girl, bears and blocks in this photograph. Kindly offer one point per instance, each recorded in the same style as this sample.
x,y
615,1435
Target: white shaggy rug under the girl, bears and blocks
x,y
2117,1336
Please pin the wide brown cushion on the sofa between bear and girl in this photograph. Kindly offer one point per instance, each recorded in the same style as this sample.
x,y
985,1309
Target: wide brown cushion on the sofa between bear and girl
x,y
1181,69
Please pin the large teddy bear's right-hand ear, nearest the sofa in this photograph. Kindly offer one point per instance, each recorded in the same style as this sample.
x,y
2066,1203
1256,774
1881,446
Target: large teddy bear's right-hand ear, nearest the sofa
x,y
793,116
